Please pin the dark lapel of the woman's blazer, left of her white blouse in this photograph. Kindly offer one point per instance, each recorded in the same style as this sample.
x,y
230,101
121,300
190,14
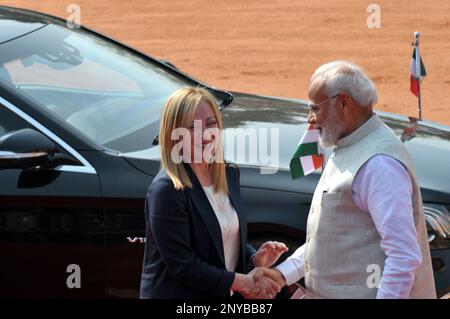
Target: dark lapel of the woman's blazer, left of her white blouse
x,y
206,212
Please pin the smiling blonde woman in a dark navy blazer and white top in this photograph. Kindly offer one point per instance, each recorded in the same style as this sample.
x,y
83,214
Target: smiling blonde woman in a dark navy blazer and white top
x,y
196,227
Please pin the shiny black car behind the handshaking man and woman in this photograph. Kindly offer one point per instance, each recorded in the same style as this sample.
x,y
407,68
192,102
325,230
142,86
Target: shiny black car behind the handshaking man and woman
x,y
79,118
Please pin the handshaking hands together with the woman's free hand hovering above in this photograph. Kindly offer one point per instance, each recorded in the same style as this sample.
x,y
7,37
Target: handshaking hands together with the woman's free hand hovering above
x,y
262,282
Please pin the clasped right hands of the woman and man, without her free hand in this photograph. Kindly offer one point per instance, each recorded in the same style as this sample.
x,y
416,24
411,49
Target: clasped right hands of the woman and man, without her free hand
x,y
255,285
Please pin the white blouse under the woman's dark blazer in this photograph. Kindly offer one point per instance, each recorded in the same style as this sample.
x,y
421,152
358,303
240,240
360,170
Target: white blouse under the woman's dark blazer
x,y
229,225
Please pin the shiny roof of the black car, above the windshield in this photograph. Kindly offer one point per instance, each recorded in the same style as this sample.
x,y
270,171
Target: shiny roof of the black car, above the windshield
x,y
16,22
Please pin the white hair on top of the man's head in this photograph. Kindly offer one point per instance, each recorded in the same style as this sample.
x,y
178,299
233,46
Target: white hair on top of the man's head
x,y
342,76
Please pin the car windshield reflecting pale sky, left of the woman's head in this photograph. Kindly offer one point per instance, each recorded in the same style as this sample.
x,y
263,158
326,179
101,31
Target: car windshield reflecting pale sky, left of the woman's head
x,y
108,93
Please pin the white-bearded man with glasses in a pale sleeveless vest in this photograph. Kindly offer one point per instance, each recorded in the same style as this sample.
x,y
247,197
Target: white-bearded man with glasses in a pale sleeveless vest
x,y
366,215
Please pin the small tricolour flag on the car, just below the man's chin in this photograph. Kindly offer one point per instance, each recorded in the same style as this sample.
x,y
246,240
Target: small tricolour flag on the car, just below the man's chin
x,y
307,157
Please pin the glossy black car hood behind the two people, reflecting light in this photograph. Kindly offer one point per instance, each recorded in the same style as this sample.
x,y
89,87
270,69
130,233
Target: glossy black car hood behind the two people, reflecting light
x,y
429,149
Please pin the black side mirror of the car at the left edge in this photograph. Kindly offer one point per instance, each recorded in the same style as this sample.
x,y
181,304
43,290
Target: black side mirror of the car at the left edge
x,y
25,148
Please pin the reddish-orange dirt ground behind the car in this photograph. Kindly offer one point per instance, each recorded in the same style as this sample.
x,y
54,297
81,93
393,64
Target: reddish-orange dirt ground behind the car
x,y
271,47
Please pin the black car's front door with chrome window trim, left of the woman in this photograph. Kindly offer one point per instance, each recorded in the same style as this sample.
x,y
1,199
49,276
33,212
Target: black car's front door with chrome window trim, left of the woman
x,y
52,238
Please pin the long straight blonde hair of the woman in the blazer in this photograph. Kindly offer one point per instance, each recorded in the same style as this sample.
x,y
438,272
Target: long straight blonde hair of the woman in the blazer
x,y
178,112
